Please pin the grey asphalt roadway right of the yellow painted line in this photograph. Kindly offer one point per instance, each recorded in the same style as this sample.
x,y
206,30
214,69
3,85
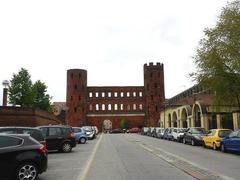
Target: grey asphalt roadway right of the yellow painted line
x,y
136,157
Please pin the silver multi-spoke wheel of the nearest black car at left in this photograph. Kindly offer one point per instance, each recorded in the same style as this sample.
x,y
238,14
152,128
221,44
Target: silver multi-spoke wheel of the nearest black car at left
x,y
27,170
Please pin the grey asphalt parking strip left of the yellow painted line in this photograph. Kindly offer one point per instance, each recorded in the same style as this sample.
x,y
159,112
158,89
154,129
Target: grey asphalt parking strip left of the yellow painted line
x,y
68,166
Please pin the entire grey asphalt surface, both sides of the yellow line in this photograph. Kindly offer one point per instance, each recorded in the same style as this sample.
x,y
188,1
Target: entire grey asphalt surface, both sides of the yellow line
x,y
137,157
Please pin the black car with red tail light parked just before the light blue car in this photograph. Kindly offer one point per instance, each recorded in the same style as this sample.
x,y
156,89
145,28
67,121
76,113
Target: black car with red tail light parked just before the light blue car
x,y
59,138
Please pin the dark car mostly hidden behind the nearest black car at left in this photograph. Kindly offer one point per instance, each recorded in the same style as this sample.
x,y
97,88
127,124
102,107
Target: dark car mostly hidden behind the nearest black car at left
x,y
33,132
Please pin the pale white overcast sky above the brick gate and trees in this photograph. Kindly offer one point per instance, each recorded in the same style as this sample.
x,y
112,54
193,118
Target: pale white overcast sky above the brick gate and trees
x,y
111,39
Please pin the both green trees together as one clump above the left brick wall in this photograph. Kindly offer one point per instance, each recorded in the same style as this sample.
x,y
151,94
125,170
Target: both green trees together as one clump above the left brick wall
x,y
22,92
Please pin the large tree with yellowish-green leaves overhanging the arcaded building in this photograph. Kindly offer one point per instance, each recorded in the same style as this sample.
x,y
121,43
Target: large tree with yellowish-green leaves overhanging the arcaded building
x,y
218,57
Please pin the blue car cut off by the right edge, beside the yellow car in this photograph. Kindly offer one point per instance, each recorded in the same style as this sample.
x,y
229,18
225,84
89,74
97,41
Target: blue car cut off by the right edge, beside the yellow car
x,y
231,142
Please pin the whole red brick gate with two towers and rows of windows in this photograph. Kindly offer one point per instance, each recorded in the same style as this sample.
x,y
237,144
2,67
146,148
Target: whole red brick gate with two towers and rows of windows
x,y
106,106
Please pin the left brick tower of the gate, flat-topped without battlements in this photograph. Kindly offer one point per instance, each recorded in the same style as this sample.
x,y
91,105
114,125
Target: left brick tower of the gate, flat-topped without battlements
x,y
76,97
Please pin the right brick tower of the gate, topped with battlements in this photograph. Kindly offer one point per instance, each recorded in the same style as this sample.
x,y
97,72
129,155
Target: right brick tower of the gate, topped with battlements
x,y
154,92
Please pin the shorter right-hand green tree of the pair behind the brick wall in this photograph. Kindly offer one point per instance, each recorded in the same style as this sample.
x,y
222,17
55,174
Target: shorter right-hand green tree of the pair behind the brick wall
x,y
41,100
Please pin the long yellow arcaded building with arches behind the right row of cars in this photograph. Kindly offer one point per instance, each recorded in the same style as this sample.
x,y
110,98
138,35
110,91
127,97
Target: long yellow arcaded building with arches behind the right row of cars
x,y
194,108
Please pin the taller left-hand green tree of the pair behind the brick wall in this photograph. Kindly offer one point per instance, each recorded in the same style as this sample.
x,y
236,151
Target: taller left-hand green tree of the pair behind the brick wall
x,y
20,90
